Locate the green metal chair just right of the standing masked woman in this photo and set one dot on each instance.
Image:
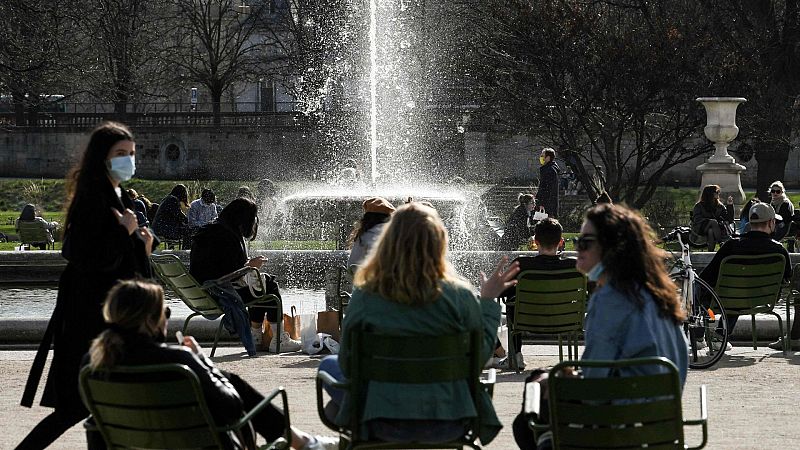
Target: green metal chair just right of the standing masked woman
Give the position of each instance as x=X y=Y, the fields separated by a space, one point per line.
x=173 y=273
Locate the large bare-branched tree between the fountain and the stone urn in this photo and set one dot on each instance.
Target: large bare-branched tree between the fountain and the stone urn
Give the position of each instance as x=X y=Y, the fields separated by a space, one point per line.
x=611 y=83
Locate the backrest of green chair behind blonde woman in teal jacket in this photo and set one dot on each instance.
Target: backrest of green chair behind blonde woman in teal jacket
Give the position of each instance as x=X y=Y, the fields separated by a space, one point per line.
x=413 y=360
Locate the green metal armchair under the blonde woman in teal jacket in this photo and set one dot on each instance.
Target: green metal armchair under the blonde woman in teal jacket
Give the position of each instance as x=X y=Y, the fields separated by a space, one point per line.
x=412 y=360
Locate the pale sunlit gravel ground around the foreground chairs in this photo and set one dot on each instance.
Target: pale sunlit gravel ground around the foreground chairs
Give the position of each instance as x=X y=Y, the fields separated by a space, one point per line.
x=753 y=396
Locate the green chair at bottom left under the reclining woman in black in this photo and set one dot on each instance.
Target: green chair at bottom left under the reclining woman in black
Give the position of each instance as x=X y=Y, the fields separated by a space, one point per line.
x=163 y=406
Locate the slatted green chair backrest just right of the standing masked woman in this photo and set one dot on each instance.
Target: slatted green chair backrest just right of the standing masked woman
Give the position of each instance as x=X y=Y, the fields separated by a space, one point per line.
x=173 y=273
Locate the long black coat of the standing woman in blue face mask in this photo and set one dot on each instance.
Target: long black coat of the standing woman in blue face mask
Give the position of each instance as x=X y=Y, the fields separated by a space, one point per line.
x=99 y=252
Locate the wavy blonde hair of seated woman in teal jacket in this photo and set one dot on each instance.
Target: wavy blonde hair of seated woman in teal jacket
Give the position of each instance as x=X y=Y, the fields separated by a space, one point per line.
x=408 y=262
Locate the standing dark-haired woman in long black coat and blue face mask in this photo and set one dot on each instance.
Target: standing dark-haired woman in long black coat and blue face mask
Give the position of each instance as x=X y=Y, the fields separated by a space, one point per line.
x=102 y=244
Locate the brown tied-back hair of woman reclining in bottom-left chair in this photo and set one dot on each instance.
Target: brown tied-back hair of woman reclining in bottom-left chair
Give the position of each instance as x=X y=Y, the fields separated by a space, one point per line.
x=131 y=306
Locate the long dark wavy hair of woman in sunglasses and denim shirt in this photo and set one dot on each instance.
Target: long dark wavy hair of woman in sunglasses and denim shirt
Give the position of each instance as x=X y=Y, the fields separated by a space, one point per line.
x=632 y=260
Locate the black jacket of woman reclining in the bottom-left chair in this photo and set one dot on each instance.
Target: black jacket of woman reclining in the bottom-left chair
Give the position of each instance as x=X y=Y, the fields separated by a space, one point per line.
x=223 y=400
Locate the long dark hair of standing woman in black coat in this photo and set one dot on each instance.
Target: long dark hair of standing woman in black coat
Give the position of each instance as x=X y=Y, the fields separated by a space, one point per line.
x=90 y=176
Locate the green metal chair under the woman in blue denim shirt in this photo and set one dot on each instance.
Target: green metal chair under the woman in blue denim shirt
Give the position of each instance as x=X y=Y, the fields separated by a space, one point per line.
x=615 y=412
